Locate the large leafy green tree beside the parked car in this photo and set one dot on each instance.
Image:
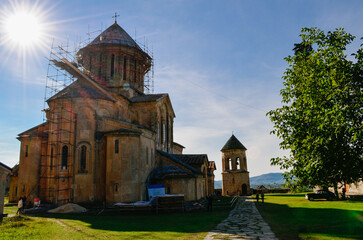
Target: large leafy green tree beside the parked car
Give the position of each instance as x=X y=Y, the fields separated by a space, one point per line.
x=320 y=121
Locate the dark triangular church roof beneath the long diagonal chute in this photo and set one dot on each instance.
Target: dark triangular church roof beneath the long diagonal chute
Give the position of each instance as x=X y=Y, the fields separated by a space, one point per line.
x=78 y=90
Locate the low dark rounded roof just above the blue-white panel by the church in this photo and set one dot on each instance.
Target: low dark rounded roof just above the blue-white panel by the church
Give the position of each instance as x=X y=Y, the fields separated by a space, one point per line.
x=165 y=172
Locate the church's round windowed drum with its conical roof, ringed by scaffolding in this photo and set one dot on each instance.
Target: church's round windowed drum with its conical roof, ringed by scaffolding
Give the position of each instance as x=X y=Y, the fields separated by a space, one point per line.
x=115 y=60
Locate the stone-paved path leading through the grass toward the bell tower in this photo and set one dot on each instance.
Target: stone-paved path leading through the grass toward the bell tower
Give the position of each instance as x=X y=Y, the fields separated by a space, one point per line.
x=243 y=222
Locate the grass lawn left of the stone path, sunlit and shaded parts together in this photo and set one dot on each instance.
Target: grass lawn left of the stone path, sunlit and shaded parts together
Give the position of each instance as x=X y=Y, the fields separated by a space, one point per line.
x=187 y=225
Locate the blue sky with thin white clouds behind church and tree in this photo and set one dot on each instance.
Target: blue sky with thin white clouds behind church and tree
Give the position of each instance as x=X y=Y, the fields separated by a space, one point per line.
x=220 y=61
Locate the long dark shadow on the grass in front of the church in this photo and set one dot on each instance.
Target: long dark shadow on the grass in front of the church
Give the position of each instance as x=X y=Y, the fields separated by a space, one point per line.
x=187 y=222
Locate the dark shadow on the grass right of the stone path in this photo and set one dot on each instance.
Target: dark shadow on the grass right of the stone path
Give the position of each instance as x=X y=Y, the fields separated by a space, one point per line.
x=294 y=223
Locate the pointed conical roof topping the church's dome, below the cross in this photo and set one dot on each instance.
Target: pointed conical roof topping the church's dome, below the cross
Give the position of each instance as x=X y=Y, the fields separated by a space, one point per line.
x=115 y=35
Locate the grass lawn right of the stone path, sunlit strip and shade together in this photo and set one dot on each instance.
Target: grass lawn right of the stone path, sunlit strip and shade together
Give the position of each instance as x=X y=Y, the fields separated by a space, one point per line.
x=291 y=216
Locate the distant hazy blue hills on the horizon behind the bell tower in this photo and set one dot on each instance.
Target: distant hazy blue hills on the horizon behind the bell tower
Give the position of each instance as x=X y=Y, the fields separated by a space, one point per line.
x=273 y=180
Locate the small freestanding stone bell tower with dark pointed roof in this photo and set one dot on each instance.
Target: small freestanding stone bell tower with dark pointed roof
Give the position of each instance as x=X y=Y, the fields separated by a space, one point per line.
x=235 y=177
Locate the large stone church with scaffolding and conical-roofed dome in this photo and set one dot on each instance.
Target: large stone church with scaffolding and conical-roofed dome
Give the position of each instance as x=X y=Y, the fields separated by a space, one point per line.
x=104 y=138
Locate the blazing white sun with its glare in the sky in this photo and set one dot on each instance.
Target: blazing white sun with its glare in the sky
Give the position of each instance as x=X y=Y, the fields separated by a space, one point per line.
x=24 y=28
